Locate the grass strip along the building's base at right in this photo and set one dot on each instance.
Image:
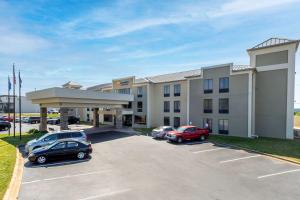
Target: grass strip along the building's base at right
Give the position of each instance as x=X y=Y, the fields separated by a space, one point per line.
x=287 y=149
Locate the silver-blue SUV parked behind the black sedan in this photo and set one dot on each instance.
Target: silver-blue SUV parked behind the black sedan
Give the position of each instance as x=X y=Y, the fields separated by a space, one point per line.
x=50 y=138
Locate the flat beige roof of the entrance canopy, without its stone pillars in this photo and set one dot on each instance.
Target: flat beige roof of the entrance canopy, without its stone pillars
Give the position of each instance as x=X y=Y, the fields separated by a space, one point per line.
x=71 y=98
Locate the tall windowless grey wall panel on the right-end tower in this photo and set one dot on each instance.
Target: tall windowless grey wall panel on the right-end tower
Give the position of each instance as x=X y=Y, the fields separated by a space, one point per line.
x=270 y=110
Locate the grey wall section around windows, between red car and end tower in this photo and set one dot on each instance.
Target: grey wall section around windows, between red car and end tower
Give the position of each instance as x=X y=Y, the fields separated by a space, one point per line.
x=238 y=101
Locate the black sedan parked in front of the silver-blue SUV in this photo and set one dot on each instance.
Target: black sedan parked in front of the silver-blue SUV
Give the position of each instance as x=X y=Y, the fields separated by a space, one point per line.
x=65 y=148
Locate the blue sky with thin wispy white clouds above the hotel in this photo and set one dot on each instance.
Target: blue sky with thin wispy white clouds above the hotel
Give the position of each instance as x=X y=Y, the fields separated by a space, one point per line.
x=92 y=42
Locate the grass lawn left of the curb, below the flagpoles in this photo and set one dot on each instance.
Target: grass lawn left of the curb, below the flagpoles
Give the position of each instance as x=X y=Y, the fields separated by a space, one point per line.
x=8 y=146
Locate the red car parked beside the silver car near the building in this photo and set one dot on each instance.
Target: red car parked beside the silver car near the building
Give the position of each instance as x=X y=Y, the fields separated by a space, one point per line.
x=187 y=133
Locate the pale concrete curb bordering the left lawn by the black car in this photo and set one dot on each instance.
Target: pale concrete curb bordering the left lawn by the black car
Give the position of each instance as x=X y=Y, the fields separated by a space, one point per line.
x=12 y=191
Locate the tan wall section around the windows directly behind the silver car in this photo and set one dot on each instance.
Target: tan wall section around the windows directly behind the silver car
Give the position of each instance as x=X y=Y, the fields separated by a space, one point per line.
x=157 y=106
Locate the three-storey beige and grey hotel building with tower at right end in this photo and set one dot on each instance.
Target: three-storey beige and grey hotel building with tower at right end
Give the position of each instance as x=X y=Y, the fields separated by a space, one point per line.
x=239 y=100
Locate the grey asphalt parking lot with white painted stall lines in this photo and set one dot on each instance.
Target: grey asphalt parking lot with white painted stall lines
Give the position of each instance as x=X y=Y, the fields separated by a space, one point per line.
x=127 y=166
